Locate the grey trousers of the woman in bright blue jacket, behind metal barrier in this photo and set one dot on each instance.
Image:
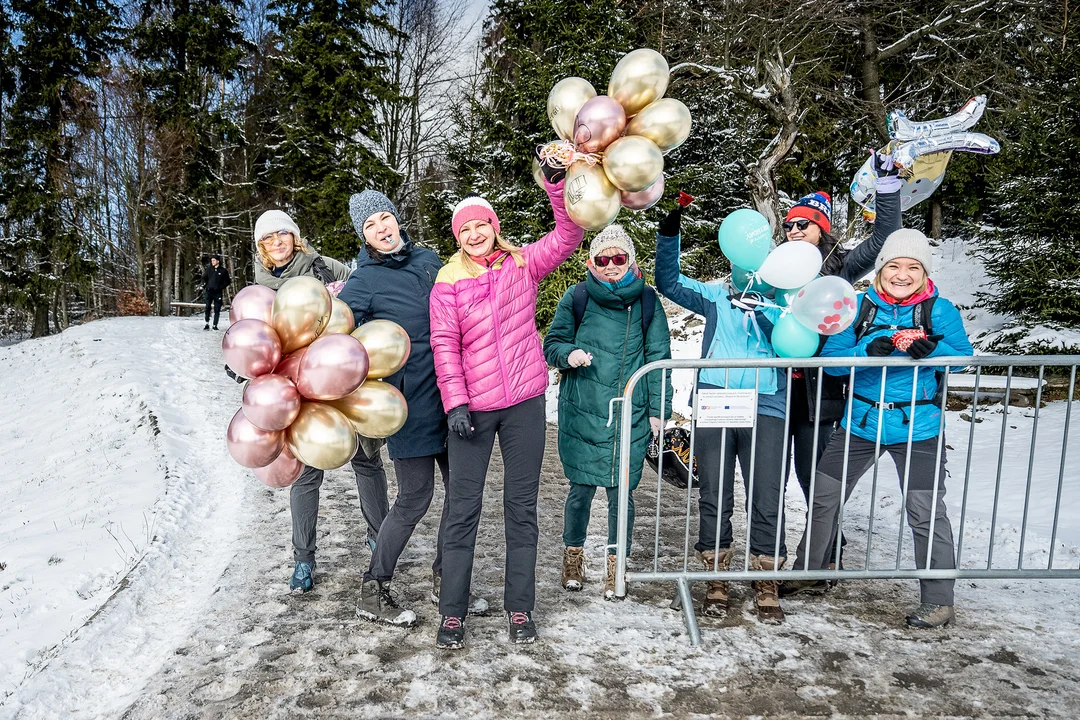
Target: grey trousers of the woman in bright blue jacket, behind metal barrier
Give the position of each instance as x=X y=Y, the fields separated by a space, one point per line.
x=921 y=501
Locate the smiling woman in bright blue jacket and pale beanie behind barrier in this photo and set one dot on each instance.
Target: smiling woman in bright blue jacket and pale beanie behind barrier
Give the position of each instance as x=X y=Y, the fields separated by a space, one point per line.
x=902 y=289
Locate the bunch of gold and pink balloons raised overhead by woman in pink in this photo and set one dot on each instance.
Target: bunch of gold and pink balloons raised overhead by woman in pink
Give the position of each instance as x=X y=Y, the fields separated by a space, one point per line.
x=614 y=145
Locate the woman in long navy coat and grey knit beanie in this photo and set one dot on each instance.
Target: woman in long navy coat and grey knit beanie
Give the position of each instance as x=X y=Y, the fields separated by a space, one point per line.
x=394 y=281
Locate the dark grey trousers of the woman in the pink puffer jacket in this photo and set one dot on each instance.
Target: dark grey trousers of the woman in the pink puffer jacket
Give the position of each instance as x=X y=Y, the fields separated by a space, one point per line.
x=521 y=431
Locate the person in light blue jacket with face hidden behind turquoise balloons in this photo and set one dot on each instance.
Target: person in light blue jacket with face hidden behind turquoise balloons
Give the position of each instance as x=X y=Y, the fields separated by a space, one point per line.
x=732 y=331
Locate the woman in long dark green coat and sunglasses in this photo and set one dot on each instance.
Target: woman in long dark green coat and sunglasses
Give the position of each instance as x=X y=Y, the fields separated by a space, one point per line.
x=617 y=328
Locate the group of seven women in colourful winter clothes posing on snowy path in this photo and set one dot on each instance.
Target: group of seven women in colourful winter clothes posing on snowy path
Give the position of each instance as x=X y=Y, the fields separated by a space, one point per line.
x=479 y=371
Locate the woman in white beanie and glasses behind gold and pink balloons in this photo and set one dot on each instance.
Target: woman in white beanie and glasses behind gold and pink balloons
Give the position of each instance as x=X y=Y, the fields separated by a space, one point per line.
x=282 y=255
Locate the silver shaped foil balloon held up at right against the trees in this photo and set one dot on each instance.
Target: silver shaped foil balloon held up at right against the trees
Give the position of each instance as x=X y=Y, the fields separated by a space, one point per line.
x=923 y=150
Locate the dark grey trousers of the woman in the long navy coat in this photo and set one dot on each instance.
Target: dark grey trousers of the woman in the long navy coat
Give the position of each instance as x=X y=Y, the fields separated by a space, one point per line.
x=416 y=485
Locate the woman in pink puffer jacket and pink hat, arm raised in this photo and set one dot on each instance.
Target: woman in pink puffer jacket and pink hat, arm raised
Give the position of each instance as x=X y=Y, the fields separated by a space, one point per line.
x=492 y=374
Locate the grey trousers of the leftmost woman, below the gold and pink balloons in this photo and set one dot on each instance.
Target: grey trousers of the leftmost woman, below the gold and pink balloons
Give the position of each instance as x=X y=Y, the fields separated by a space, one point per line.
x=304 y=500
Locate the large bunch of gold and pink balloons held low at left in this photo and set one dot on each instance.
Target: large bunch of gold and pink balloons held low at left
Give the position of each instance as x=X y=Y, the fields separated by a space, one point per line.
x=315 y=379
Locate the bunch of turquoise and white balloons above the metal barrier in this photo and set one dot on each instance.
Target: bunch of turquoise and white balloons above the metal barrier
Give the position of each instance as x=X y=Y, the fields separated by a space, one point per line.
x=812 y=306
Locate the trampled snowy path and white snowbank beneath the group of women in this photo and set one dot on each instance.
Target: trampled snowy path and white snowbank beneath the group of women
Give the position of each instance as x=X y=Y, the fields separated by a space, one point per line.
x=204 y=626
